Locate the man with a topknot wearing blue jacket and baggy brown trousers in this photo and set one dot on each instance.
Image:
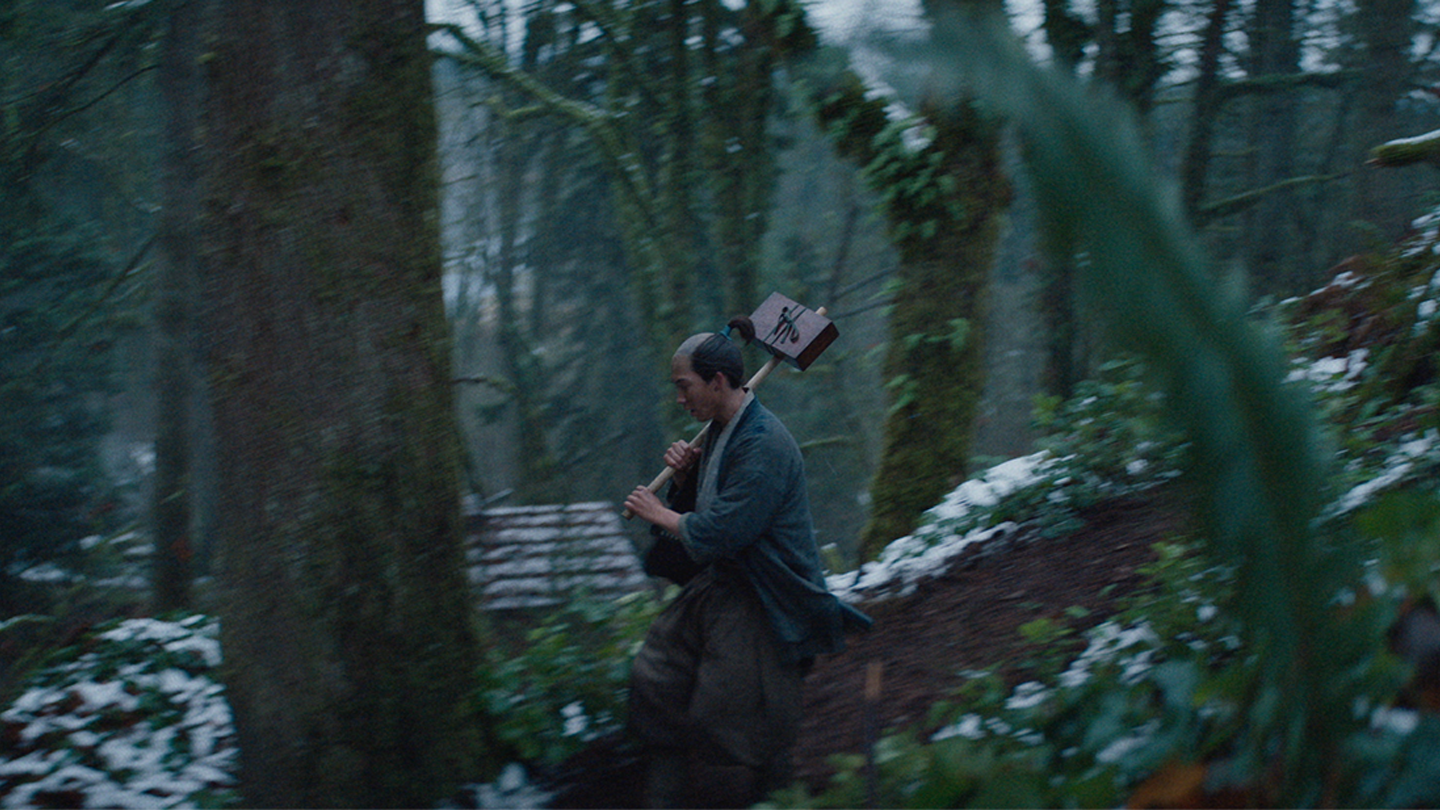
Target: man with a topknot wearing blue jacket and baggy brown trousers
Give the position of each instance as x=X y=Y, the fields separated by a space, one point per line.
x=716 y=687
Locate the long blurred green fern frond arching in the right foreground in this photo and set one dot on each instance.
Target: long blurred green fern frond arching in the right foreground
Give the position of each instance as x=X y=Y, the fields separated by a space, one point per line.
x=1256 y=450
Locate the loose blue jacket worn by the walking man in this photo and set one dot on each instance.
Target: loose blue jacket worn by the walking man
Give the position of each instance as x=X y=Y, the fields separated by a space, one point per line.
x=760 y=522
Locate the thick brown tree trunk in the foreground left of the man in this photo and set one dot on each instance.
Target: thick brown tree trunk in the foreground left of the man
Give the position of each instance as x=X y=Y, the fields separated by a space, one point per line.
x=346 y=618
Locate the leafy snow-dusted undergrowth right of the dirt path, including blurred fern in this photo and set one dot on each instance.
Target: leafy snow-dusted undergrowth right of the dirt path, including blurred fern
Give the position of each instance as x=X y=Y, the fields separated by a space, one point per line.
x=1256 y=672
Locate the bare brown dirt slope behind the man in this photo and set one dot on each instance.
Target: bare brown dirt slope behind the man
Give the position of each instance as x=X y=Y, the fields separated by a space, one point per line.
x=960 y=622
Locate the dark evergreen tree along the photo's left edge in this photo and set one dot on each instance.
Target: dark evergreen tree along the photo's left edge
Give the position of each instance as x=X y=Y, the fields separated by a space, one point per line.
x=71 y=249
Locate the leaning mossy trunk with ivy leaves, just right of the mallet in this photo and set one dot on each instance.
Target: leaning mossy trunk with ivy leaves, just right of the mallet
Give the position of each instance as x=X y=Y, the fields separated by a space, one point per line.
x=944 y=205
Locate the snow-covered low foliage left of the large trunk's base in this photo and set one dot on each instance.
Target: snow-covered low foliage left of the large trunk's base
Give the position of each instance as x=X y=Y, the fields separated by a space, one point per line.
x=136 y=723
